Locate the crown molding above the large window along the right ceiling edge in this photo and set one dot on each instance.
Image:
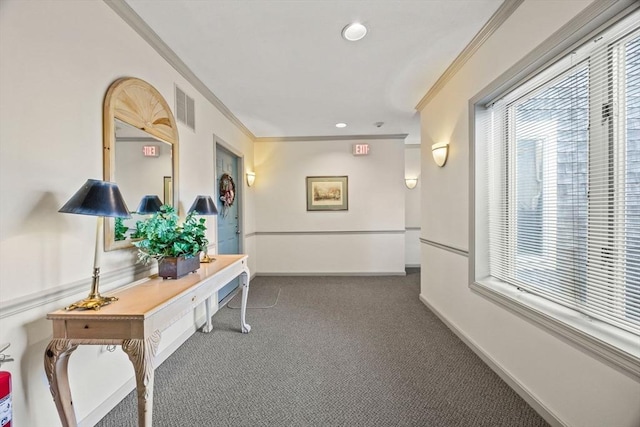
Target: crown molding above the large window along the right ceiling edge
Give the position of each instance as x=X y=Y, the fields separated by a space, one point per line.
x=497 y=19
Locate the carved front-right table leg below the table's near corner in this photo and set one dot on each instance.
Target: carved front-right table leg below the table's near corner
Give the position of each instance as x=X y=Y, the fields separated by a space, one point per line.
x=142 y=354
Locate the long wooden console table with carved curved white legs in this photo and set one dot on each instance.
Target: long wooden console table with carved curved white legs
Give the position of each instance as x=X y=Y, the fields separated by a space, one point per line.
x=135 y=322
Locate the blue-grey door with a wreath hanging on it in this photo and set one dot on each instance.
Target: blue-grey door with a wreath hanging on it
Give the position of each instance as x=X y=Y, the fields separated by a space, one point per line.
x=228 y=210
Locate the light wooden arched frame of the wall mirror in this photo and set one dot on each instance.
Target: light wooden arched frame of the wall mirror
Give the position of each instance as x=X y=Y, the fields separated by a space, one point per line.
x=140 y=105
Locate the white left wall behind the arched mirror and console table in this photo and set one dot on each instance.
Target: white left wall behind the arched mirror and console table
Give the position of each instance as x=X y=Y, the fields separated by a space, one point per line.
x=58 y=59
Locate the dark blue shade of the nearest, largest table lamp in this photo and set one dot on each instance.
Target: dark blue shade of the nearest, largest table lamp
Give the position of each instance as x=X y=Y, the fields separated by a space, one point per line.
x=97 y=198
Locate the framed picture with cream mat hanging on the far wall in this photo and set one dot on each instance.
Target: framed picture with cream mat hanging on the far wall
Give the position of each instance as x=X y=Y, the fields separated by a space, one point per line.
x=327 y=193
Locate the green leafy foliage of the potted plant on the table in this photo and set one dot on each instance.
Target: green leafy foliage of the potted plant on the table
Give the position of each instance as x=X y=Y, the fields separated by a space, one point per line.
x=162 y=235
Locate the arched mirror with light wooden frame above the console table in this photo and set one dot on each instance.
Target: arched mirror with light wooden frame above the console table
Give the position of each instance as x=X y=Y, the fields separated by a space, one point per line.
x=140 y=152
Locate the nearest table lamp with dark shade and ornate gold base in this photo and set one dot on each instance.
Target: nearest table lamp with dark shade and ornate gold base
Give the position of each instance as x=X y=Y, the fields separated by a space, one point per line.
x=96 y=198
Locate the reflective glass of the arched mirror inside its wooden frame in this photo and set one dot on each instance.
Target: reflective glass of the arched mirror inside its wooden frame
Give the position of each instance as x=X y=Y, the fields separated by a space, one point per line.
x=143 y=171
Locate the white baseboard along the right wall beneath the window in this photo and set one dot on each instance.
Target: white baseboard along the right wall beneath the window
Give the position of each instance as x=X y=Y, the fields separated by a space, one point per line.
x=512 y=382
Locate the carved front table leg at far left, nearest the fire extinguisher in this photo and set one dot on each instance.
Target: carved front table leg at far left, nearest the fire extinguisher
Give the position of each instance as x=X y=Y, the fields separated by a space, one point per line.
x=56 y=360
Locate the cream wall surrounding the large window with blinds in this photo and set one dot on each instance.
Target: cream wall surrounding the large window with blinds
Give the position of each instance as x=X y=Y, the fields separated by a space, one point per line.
x=572 y=385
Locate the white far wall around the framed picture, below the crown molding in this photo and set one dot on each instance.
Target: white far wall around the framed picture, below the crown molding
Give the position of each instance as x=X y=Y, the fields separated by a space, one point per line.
x=368 y=238
